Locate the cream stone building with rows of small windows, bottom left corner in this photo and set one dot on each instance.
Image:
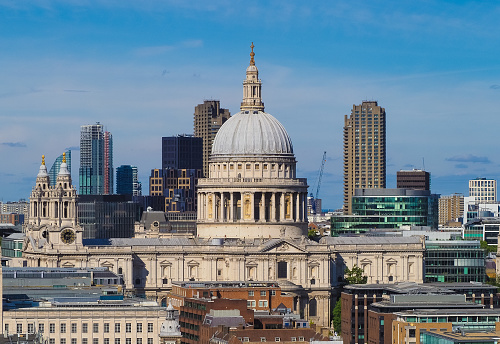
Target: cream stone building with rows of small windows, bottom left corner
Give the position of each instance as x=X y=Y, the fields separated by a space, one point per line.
x=69 y=309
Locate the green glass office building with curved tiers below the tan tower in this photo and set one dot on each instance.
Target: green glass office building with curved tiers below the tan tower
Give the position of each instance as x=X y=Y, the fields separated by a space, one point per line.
x=386 y=209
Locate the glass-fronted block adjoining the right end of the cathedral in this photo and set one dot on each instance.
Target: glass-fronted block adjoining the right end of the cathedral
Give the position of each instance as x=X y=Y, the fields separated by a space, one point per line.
x=454 y=261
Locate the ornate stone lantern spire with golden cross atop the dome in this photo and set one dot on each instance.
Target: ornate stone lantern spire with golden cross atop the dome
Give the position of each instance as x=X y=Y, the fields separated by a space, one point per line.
x=252 y=86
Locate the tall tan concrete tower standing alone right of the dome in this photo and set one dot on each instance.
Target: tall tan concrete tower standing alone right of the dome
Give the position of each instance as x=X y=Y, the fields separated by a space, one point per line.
x=364 y=150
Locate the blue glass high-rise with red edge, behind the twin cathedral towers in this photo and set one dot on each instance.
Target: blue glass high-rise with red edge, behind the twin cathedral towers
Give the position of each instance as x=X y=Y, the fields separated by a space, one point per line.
x=96 y=160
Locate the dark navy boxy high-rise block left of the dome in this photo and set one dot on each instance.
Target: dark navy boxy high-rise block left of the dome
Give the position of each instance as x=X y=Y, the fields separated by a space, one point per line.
x=182 y=151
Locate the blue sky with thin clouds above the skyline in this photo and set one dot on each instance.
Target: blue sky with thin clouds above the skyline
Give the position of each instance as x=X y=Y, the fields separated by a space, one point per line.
x=140 y=67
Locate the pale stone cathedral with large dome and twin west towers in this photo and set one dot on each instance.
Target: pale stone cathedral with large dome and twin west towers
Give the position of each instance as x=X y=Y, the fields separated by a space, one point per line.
x=252 y=226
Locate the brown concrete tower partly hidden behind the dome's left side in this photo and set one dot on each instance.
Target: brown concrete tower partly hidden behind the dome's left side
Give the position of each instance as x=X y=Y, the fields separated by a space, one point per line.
x=208 y=118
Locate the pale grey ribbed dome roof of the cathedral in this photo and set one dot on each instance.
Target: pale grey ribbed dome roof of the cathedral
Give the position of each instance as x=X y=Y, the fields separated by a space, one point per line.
x=252 y=133
